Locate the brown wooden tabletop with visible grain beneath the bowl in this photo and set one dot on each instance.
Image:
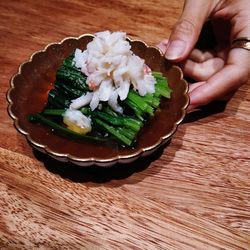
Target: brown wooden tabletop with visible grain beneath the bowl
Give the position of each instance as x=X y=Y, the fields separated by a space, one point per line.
x=193 y=194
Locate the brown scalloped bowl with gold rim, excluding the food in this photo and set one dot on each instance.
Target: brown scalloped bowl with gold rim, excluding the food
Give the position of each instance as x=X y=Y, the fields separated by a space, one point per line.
x=28 y=94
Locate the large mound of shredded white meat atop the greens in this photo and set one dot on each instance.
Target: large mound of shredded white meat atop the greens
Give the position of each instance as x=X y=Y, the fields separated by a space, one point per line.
x=111 y=68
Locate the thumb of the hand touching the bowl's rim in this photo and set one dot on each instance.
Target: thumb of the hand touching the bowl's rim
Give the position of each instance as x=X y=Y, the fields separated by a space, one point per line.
x=187 y=30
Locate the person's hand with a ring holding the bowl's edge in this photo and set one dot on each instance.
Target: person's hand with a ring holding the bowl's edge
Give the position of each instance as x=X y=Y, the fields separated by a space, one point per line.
x=220 y=71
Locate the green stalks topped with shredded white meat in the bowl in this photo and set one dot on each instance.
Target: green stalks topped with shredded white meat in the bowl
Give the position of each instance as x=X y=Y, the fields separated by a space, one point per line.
x=105 y=92
